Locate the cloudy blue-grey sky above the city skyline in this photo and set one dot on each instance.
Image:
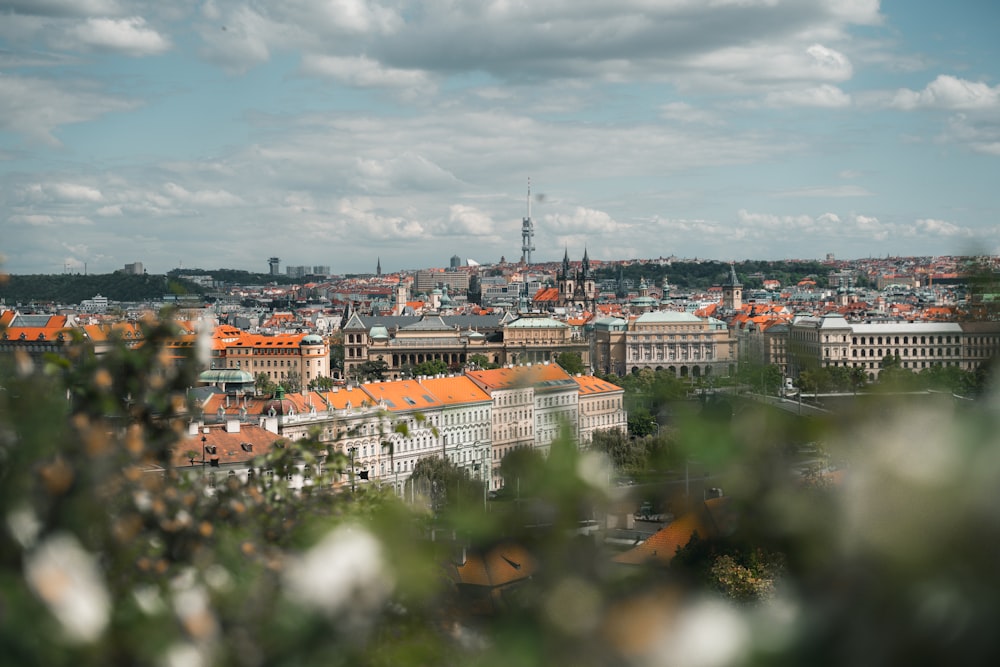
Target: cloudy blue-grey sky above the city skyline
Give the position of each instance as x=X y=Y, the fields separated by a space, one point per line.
x=217 y=133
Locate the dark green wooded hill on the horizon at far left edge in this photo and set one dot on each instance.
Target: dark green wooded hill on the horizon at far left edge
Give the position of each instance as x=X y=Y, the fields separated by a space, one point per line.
x=73 y=288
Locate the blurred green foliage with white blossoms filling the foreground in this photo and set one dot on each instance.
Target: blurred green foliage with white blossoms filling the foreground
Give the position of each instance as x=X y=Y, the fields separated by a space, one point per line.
x=109 y=555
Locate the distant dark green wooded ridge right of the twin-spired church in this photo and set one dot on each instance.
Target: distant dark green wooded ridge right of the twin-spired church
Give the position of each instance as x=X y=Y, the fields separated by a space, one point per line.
x=702 y=275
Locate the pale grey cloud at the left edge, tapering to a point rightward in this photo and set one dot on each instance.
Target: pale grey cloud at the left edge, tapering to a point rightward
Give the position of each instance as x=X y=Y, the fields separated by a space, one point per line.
x=36 y=107
